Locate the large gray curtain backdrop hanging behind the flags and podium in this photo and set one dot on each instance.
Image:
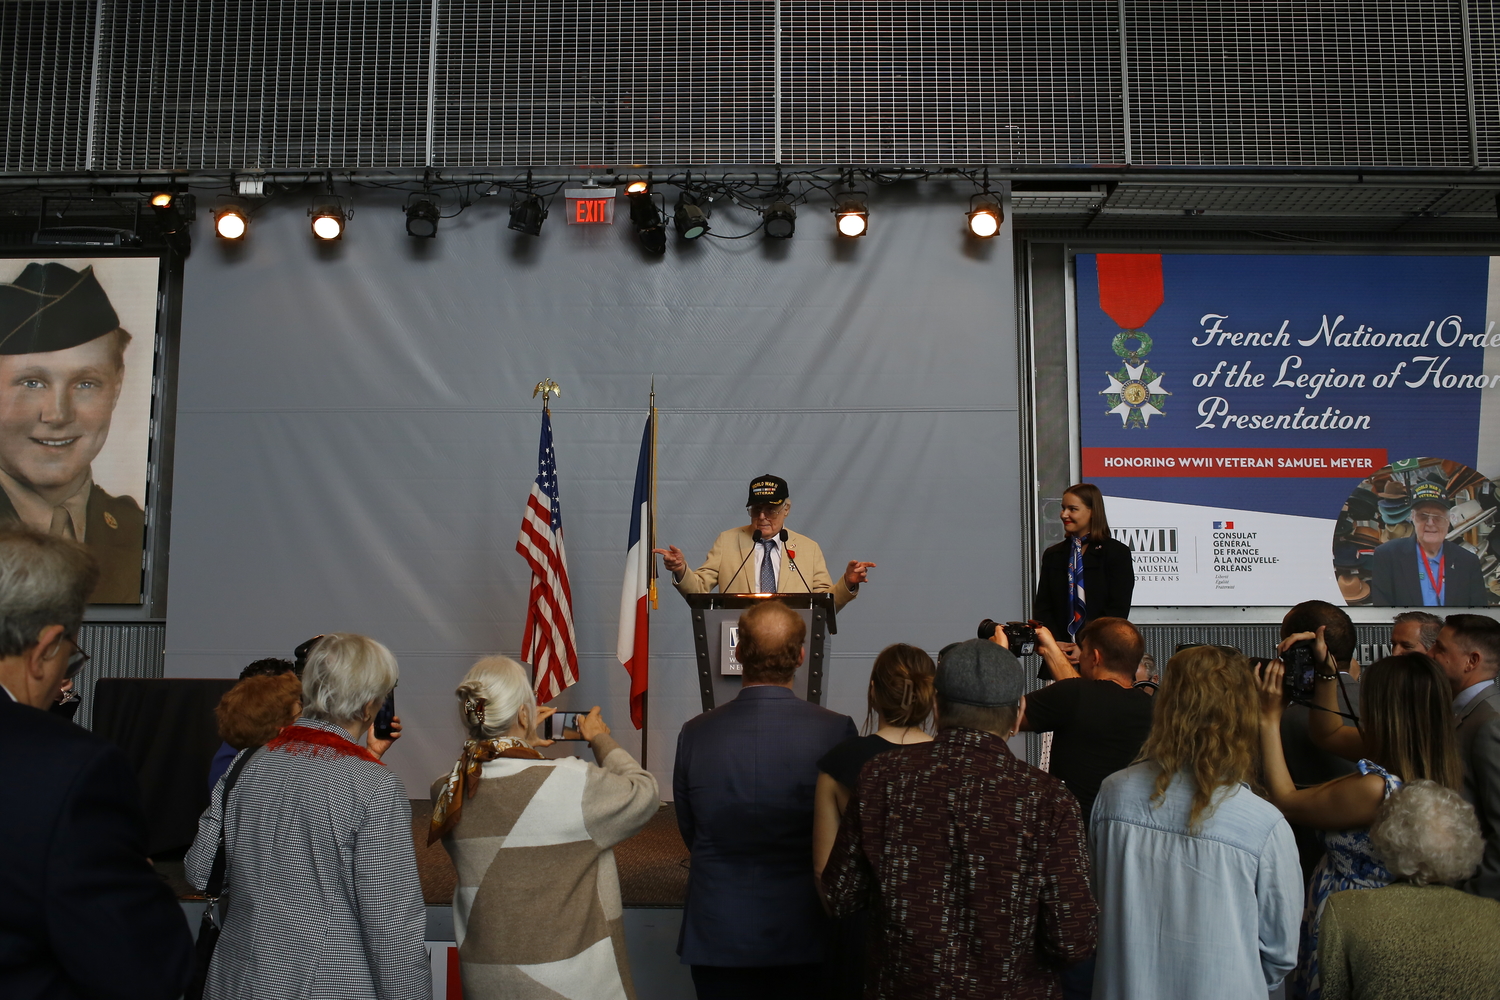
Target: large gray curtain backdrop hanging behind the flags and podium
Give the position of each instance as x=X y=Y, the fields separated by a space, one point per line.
x=356 y=437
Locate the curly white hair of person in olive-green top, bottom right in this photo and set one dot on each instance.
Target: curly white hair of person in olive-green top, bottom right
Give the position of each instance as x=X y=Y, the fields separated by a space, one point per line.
x=1427 y=834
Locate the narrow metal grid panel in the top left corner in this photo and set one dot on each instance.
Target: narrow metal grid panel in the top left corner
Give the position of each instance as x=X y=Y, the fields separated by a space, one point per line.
x=46 y=68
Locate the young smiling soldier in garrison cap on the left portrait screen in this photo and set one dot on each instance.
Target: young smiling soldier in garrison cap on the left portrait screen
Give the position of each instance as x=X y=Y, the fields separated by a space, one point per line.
x=62 y=368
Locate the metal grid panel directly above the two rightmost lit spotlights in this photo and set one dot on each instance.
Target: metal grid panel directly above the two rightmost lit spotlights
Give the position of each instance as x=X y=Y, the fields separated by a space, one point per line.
x=952 y=82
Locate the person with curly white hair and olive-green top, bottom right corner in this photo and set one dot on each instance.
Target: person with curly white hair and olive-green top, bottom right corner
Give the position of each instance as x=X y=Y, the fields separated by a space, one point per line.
x=1418 y=938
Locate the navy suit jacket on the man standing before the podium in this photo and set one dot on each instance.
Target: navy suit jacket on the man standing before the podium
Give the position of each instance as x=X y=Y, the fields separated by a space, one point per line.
x=745 y=803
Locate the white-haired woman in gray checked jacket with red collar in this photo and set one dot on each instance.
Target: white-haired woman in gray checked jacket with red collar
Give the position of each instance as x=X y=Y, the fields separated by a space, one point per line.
x=323 y=897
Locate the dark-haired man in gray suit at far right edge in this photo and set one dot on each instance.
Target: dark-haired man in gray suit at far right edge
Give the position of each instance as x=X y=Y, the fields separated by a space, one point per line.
x=1469 y=653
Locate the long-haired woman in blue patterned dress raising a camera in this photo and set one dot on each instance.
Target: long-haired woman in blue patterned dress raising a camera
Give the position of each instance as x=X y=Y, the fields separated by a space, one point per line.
x=1409 y=734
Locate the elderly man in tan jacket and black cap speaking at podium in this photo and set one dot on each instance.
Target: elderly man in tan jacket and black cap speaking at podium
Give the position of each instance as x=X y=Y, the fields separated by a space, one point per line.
x=764 y=557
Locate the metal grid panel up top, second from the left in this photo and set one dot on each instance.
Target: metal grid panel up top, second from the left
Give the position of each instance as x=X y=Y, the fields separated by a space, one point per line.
x=205 y=85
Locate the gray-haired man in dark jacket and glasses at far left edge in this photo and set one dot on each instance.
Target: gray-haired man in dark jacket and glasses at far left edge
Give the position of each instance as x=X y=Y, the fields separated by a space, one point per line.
x=82 y=912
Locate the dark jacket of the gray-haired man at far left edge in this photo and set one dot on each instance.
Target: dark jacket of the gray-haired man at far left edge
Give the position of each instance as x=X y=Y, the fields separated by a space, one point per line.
x=82 y=912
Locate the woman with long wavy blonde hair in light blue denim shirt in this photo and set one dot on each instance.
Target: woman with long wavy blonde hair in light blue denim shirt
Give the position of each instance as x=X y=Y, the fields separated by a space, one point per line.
x=1196 y=876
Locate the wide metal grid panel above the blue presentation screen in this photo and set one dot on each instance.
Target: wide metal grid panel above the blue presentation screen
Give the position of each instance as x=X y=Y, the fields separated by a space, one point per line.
x=1273 y=83
